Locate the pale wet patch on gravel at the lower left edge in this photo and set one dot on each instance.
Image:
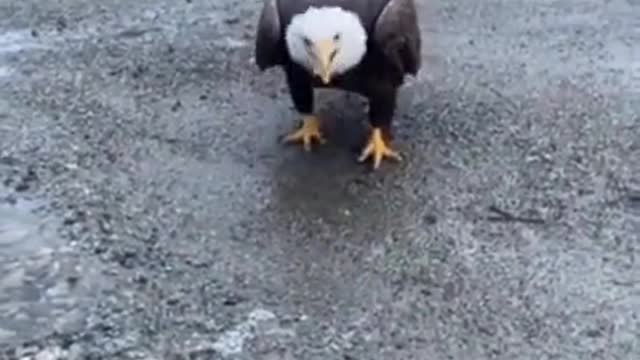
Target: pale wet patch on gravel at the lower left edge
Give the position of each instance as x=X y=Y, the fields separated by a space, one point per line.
x=45 y=287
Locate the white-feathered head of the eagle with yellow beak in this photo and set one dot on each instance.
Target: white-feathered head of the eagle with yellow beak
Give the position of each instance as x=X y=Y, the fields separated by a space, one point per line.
x=326 y=41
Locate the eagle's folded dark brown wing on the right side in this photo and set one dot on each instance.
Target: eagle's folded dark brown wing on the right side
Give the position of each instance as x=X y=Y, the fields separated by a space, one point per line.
x=397 y=34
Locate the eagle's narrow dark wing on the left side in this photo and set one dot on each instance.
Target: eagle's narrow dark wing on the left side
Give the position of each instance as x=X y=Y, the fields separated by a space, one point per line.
x=269 y=50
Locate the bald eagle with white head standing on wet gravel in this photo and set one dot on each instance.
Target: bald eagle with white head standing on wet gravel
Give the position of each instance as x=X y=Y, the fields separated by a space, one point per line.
x=362 y=46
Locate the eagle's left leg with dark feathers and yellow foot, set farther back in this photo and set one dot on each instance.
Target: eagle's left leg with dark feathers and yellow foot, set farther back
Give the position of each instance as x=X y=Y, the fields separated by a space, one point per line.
x=301 y=91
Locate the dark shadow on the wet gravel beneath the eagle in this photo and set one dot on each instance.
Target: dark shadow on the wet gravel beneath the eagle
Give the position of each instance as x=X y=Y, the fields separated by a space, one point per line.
x=316 y=181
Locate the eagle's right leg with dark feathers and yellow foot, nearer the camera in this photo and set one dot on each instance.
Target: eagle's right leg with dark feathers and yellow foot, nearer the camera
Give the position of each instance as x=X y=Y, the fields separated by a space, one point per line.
x=381 y=110
